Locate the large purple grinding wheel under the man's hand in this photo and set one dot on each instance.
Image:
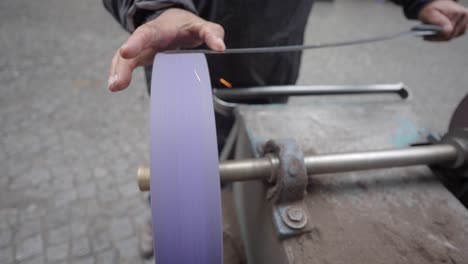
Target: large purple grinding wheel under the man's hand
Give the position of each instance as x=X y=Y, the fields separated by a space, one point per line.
x=185 y=183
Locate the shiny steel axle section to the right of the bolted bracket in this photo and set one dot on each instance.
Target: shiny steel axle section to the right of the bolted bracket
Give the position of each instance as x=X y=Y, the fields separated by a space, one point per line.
x=427 y=155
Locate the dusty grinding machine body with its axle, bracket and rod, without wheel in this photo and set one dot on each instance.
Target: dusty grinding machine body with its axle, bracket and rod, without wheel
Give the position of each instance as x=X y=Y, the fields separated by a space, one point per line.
x=355 y=178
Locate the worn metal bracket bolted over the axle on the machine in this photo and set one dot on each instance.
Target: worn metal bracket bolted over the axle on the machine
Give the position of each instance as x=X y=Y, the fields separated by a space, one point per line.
x=288 y=188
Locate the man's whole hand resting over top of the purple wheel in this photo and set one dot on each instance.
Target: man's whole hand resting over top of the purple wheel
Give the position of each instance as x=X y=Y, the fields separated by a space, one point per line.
x=174 y=28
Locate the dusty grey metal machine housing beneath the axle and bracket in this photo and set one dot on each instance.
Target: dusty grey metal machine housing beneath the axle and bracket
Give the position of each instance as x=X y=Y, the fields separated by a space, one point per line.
x=393 y=215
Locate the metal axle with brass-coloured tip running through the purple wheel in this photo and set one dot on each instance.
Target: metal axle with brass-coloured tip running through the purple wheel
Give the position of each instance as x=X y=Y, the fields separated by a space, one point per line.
x=258 y=169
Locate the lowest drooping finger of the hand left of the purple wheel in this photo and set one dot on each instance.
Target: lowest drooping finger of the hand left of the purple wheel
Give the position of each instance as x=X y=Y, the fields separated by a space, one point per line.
x=120 y=73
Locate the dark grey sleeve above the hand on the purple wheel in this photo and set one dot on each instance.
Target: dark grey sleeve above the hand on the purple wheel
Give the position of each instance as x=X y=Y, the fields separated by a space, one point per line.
x=132 y=13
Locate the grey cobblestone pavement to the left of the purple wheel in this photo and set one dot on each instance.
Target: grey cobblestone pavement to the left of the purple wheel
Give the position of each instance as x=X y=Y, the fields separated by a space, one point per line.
x=69 y=149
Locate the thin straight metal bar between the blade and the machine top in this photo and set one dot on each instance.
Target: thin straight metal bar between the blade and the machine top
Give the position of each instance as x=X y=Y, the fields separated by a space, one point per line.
x=298 y=90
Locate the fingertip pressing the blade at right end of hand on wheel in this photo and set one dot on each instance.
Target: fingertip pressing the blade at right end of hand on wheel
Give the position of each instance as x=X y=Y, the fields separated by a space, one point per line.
x=212 y=35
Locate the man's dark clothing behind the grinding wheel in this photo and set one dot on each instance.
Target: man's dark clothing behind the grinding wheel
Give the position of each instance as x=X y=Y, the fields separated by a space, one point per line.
x=246 y=24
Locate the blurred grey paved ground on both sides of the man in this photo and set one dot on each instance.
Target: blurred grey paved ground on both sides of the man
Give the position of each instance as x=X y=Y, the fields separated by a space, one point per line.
x=69 y=149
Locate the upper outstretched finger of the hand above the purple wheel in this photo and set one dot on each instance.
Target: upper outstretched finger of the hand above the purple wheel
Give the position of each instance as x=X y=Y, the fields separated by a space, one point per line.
x=144 y=37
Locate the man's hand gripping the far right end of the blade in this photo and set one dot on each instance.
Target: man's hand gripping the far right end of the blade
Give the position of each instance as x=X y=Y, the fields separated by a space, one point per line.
x=452 y=17
